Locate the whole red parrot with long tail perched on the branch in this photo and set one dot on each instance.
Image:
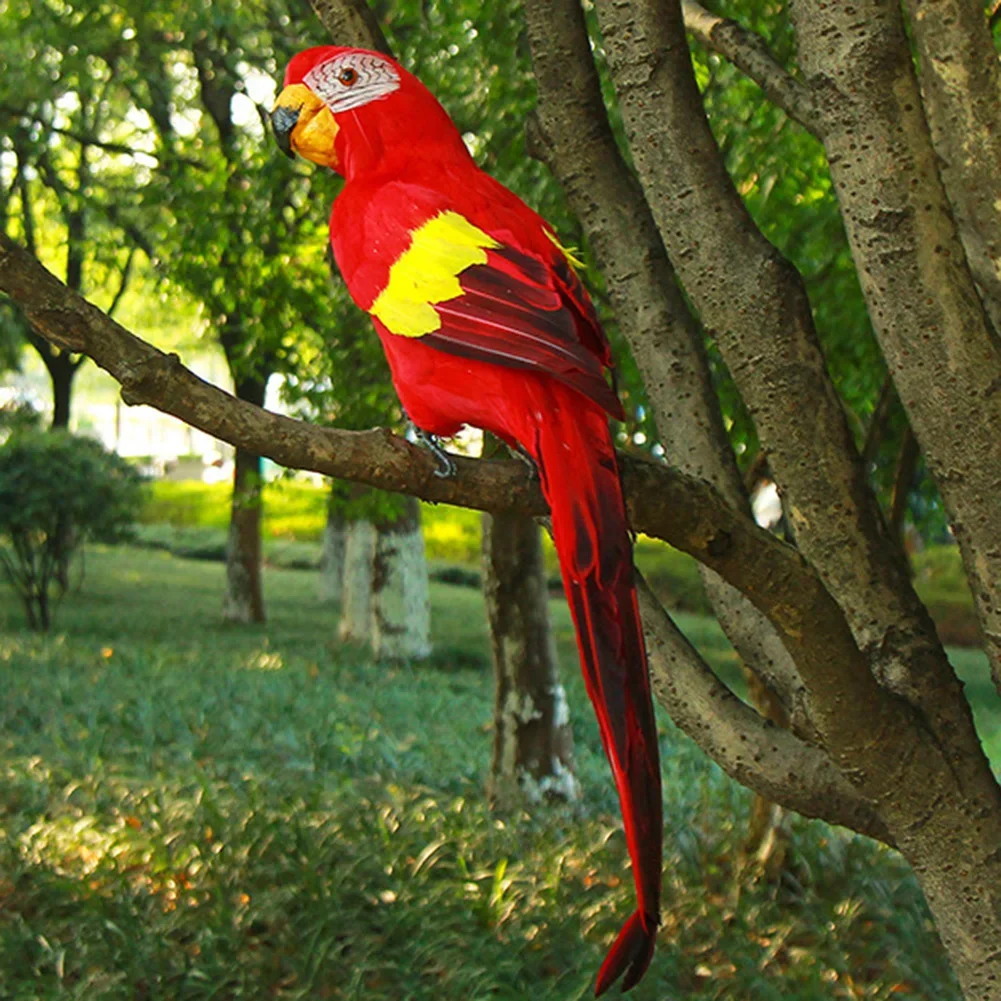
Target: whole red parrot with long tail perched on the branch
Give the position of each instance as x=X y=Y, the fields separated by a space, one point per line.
x=485 y=323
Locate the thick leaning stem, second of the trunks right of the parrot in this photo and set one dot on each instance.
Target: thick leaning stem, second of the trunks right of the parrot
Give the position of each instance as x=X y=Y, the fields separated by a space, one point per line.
x=756 y=305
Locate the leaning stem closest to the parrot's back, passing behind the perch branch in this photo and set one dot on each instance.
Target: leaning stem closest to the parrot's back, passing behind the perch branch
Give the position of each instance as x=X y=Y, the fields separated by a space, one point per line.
x=576 y=141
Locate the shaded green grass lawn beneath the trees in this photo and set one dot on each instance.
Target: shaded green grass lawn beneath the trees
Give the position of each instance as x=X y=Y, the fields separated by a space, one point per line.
x=196 y=811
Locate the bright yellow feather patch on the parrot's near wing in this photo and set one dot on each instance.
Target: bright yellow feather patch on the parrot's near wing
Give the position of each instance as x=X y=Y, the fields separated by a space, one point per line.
x=428 y=273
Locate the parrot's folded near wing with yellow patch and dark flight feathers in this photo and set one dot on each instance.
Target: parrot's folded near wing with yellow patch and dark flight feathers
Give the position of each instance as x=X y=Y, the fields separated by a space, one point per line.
x=480 y=295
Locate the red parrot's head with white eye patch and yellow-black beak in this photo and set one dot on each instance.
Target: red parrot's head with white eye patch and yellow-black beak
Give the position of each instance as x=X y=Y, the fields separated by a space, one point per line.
x=352 y=111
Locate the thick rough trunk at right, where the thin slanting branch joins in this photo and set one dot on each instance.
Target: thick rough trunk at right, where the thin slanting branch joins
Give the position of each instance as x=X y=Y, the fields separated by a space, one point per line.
x=914 y=275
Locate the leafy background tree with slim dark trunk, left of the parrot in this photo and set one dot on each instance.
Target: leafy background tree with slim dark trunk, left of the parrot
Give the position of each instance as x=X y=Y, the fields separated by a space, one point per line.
x=207 y=216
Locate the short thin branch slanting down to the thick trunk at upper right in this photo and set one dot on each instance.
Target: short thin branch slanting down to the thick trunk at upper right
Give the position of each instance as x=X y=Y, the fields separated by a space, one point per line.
x=750 y=55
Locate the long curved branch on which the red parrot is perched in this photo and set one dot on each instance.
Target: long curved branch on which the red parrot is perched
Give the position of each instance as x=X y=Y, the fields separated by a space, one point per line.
x=663 y=503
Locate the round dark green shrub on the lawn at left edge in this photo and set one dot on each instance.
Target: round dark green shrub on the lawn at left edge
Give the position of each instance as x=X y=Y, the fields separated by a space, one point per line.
x=58 y=491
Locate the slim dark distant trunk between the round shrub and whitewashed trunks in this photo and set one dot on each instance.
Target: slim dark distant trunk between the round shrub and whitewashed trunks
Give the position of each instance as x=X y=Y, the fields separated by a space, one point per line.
x=245 y=599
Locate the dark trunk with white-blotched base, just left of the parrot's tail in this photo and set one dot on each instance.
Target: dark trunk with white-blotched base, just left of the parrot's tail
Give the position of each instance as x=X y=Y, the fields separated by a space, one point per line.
x=533 y=737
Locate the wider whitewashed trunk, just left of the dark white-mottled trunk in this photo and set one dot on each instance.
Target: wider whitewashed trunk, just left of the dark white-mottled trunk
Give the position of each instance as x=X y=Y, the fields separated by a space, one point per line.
x=402 y=616
